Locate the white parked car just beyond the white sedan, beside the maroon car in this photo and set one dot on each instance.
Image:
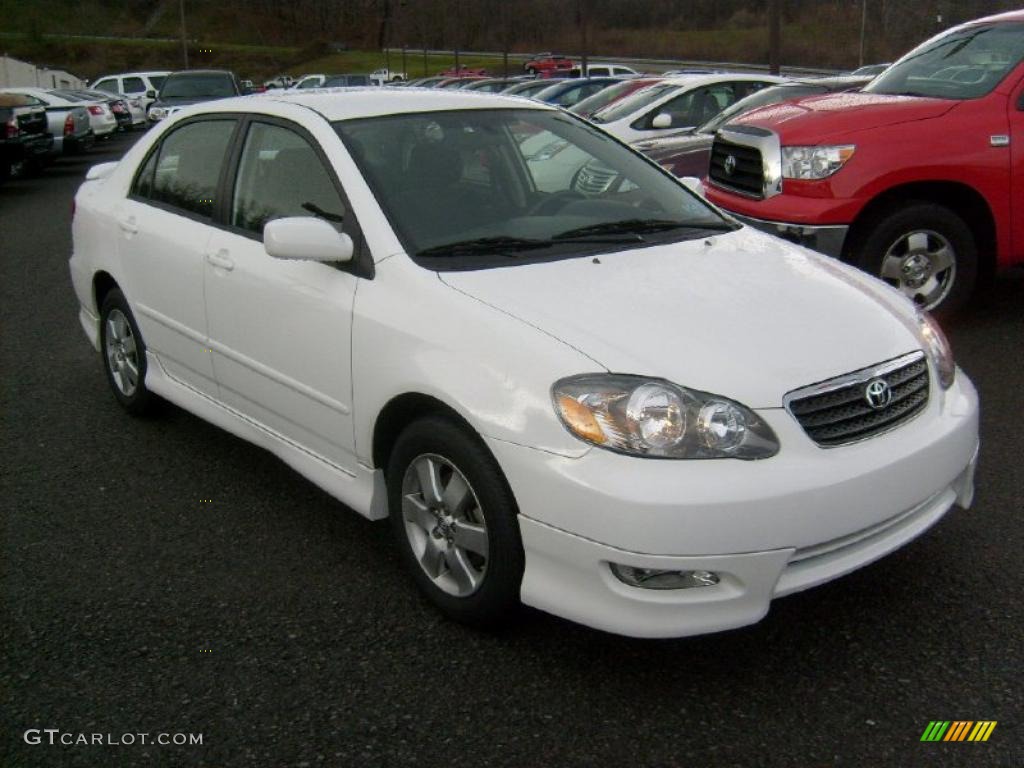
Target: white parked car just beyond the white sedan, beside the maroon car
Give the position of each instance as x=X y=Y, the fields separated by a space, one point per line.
x=677 y=104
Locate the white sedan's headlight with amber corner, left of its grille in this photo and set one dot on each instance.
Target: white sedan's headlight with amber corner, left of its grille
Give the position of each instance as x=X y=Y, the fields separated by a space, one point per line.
x=657 y=419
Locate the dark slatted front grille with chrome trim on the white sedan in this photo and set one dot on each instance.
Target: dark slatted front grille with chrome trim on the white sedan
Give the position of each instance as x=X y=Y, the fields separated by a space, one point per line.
x=838 y=412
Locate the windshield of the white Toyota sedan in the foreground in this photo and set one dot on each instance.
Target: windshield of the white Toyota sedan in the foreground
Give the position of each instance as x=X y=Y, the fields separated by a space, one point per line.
x=465 y=188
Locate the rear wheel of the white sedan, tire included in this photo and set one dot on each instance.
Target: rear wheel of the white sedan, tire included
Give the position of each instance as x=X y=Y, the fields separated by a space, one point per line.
x=123 y=354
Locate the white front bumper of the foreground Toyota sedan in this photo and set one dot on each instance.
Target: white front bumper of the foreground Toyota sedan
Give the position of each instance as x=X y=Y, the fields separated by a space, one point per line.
x=767 y=529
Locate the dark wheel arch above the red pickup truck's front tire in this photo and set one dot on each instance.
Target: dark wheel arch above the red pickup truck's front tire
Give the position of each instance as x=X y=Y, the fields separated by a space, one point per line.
x=961 y=198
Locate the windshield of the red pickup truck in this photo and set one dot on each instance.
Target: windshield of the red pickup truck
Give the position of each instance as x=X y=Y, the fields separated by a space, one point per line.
x=967 y=63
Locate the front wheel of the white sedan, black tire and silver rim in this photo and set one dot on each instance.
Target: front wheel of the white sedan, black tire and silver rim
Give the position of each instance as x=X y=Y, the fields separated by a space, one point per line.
x=454 y=519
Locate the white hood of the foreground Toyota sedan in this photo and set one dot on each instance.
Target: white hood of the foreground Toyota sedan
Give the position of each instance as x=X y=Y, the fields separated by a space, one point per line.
x=742 y=315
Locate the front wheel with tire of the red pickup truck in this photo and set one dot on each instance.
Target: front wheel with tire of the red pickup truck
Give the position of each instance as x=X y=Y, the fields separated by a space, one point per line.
x=924 y=250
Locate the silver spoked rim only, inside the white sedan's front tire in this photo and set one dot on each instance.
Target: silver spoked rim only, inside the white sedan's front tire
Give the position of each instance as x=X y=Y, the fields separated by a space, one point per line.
x=445 y=525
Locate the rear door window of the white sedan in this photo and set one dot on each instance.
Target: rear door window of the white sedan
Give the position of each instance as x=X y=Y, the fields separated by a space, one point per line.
x=189 y=165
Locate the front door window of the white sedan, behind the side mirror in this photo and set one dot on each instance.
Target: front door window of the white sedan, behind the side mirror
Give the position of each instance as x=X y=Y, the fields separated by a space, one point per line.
x=280 y=176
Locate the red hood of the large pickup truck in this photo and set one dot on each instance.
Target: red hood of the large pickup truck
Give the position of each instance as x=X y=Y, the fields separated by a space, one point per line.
x=816 y=119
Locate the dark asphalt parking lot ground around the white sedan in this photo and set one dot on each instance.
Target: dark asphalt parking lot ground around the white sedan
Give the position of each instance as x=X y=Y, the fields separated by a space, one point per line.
x=162 y=576
